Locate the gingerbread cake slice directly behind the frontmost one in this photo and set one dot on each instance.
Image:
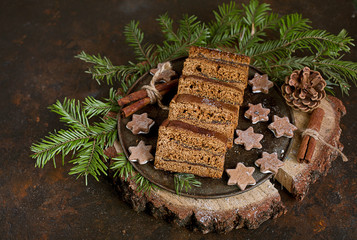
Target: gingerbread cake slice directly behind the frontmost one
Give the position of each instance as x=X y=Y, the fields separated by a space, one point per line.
x=205 y=113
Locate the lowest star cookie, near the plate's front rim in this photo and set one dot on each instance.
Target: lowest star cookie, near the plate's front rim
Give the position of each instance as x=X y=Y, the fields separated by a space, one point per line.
x=241 y=175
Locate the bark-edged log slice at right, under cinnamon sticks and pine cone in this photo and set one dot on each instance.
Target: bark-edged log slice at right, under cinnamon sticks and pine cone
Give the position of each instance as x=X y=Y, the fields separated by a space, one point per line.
x=297 y=177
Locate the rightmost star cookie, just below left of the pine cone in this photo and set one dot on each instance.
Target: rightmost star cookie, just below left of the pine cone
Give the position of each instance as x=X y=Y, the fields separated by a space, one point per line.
x=282 y=127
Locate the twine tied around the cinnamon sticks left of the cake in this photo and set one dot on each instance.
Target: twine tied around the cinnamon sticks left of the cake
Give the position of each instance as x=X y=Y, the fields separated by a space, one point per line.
x=151 y=90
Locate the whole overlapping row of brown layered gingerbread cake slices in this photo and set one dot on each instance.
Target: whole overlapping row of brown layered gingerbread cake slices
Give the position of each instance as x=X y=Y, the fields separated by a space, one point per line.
x=204 y=113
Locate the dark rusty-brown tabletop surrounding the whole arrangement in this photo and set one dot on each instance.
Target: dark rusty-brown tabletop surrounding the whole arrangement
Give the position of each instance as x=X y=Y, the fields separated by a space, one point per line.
x=38 y=40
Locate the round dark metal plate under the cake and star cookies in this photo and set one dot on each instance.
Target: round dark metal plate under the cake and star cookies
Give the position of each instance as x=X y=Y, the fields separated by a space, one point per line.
x=211 y=188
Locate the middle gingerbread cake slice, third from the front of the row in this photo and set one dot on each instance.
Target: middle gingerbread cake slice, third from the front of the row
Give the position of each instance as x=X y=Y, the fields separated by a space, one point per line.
x=211 y=89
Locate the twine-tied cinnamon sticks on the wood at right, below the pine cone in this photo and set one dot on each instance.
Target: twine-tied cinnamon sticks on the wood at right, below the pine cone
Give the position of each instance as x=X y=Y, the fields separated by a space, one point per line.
x=308 y=143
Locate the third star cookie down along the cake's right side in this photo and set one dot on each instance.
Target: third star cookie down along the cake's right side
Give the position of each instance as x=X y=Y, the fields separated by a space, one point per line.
x=249 y=139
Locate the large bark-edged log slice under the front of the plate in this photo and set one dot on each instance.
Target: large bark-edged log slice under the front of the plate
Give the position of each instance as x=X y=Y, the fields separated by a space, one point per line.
x=248 y=209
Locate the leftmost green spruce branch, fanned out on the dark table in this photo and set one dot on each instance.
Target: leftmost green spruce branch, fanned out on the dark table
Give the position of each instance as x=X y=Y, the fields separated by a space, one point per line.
x=85 y=141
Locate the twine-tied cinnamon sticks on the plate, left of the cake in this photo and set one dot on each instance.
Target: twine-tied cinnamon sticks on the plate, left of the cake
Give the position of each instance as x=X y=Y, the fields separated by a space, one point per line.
x=139 y=99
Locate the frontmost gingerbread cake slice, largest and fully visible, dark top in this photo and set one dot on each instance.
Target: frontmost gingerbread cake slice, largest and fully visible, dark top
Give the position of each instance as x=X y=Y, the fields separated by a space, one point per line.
x=185 y=148
